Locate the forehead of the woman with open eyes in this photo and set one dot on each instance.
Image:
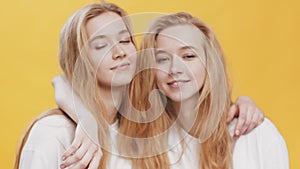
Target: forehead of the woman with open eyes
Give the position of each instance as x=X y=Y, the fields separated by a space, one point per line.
x=180 y=36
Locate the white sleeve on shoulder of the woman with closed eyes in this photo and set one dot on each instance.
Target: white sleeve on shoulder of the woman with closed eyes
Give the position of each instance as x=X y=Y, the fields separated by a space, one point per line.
x=47 y=141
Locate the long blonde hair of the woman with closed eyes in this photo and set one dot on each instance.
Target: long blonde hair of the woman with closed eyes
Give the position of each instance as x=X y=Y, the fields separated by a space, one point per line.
x=76 y=64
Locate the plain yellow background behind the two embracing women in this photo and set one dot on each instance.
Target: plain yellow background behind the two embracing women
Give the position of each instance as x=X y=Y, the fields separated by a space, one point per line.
x=261 y=39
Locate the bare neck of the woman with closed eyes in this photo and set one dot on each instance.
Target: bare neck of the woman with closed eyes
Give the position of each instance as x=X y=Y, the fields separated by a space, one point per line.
x=112 y=98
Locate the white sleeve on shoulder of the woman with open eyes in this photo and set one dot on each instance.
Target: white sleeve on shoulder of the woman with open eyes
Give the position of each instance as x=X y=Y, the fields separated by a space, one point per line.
x=262 y=148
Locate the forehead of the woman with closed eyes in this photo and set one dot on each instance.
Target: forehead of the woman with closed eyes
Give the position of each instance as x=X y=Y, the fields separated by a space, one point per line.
x=108 y=23
